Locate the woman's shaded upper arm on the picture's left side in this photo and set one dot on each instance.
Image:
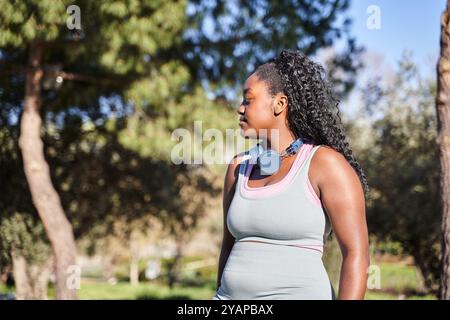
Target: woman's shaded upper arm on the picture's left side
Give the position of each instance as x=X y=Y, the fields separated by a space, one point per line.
x=229 y=188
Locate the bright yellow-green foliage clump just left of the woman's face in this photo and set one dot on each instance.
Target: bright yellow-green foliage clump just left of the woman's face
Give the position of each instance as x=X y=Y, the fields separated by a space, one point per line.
x=152 y=136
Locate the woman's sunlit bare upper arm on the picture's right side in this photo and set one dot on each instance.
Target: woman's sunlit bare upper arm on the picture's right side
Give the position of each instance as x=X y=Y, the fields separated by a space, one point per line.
x=343 y=199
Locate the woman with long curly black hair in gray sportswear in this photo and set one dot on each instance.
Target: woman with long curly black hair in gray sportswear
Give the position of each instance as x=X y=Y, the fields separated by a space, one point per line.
x=275 y=225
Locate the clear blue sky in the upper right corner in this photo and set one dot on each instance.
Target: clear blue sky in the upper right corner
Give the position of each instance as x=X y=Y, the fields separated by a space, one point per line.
x=405 y=24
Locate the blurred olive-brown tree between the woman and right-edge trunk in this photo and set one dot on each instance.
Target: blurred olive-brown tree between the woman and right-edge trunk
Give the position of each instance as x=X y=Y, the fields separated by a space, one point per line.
x=402 y=168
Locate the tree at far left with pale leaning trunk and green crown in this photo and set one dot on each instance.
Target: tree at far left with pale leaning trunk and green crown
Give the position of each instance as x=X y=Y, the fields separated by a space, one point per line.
x=37 y=31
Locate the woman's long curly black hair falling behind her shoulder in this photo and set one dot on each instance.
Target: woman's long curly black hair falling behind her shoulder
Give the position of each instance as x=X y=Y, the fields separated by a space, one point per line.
x=313 y=112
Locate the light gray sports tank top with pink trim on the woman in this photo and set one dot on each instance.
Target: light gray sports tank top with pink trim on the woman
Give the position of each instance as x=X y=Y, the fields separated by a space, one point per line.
x=287 y=212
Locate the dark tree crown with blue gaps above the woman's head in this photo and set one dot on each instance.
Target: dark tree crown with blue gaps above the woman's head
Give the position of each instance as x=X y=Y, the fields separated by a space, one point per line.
x=244 y=34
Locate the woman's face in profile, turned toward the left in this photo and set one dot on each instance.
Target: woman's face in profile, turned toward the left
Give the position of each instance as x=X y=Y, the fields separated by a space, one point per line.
x=257 y=113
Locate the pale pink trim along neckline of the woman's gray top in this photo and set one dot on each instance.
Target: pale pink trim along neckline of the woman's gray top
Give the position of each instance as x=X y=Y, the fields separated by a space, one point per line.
x=277 y=187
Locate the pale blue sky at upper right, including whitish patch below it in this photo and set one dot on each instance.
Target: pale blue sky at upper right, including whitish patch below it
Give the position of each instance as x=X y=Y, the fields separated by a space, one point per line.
x=412 y=25
